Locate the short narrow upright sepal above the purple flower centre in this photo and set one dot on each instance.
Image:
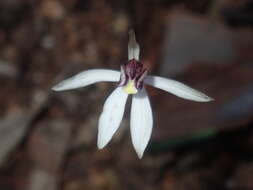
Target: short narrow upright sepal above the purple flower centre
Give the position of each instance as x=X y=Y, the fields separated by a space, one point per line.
x=133 y=47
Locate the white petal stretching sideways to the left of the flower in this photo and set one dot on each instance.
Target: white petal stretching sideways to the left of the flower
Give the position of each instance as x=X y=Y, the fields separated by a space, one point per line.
x=88 y=77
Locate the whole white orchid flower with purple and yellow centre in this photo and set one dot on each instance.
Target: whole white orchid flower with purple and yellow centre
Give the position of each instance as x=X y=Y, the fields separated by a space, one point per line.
x=131 y=80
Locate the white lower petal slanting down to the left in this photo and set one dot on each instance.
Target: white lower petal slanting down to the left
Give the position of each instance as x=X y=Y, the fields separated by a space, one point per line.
x=111 y=116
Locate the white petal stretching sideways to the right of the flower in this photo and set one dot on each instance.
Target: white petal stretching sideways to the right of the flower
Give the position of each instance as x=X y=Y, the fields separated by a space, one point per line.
x=177 y=88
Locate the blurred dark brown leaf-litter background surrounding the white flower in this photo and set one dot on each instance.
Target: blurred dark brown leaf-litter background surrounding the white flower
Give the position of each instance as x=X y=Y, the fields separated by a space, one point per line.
x=48 y=139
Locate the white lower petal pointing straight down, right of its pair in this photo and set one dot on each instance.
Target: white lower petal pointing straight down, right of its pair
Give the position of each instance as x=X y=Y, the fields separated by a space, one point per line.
x=141 y=121
